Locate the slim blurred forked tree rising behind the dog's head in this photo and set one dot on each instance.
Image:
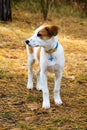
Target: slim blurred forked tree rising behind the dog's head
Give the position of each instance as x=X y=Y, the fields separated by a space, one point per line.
x=46 y=4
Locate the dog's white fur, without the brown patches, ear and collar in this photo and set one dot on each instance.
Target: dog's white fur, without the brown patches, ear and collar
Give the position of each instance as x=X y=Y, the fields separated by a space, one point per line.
x=55 y=66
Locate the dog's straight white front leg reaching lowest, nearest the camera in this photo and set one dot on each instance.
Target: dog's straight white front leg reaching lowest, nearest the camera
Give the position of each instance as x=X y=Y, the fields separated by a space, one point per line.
x=46 y=101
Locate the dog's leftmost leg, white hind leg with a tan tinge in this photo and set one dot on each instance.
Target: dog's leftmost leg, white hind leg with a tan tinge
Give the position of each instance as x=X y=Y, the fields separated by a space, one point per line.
x=30 y=73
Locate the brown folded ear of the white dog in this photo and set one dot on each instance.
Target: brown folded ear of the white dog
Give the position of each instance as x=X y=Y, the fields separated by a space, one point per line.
x=52 y=30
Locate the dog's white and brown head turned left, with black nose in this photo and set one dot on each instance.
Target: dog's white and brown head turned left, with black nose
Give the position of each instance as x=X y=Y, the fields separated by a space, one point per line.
x=42 y=36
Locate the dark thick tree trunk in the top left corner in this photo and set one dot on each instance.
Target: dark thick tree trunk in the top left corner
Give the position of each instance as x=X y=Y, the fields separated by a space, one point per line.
x=5 y=10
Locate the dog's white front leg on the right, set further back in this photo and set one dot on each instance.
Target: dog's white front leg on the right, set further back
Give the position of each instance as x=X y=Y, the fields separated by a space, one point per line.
x=57 y=97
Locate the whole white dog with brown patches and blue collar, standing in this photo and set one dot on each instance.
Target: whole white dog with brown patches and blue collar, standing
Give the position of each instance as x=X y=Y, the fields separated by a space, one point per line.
x=45 y=48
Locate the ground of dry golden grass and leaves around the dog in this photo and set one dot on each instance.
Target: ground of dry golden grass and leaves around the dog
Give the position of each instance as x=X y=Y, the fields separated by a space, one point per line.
x=20 y=109
